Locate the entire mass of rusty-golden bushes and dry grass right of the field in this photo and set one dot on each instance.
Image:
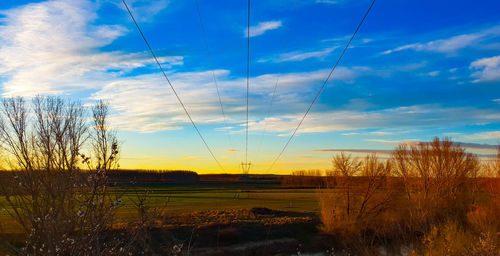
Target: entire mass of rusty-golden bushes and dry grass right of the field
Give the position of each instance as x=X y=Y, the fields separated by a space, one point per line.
x=440 y=209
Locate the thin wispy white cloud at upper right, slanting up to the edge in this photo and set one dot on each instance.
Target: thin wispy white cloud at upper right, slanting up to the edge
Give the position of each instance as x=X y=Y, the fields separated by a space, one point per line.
x=449 y=45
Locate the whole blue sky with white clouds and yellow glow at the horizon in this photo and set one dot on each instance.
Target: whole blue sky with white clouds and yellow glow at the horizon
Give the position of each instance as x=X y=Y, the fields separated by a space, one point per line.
x=416 y=70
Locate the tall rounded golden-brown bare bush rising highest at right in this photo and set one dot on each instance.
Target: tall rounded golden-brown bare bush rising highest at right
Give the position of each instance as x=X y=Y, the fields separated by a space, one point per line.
x=439 y=180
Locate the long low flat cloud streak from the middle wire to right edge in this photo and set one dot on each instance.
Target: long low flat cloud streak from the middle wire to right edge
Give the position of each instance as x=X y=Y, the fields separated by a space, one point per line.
x=400 y=117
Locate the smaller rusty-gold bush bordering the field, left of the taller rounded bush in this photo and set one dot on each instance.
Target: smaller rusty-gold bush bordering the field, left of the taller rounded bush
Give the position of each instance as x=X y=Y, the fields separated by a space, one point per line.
x=355 y=203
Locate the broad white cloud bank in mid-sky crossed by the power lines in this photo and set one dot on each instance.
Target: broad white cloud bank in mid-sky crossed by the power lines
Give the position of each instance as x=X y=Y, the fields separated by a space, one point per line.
x=196 y=89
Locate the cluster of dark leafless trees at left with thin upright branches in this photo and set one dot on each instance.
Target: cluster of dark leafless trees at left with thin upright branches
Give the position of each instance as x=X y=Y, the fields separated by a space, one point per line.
x=62 y=209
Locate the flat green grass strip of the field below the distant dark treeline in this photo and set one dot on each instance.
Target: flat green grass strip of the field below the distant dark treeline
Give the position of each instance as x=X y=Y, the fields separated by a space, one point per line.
x=190 y=198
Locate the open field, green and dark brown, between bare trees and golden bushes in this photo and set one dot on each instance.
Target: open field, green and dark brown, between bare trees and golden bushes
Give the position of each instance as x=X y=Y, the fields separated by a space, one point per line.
x=224 y=213
